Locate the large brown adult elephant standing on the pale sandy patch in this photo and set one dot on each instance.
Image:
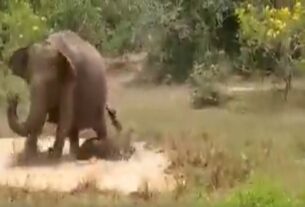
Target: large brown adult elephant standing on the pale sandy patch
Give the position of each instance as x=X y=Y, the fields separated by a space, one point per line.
x=66 y=76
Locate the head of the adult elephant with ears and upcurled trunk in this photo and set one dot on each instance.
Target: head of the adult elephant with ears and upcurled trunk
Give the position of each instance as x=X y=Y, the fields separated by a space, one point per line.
x=46 y=66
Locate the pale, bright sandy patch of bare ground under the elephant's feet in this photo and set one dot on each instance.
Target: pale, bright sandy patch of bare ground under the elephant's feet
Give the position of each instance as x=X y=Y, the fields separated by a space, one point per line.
x=126 y=176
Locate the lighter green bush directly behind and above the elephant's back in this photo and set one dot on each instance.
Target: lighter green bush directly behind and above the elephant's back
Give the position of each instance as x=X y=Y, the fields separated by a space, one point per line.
x=109 y=25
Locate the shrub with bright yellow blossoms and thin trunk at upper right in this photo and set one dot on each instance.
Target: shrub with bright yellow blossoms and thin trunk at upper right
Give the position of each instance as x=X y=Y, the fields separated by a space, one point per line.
x=271 y=37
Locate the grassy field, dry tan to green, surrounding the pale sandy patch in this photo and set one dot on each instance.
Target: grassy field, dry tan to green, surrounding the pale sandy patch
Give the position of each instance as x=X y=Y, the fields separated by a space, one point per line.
x=219 y=150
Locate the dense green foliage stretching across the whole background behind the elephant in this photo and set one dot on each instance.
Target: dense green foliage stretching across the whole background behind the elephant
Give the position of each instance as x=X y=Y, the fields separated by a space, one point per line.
x=182 y=37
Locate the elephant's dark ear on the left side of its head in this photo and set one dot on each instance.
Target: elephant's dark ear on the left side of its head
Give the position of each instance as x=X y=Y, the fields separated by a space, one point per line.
x=18 y=62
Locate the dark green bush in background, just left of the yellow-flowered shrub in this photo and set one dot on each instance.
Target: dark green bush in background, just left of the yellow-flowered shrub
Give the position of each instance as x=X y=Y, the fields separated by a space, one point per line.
x=188 y=32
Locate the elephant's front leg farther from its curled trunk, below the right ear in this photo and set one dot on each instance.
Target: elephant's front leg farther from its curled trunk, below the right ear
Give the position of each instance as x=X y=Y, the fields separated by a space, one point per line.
x=65 y=120
